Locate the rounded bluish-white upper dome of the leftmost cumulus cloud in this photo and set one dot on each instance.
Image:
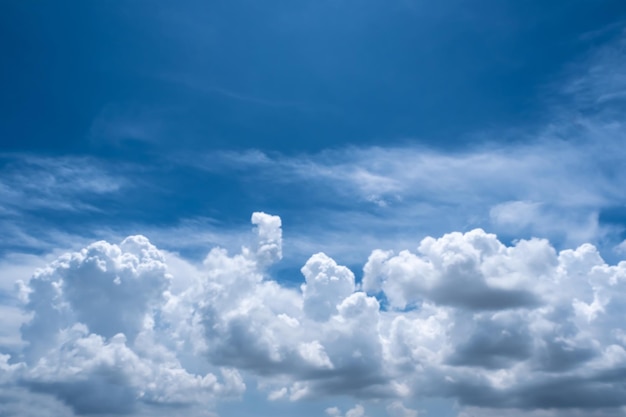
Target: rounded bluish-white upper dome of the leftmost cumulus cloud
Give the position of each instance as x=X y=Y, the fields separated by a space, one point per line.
x=107 y=287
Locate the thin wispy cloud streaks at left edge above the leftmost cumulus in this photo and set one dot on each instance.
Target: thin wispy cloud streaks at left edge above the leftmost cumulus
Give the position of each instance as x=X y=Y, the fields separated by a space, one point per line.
x=37 y=192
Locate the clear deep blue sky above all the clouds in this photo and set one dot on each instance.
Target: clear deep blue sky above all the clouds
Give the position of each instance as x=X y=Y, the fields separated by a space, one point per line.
x=91 y=77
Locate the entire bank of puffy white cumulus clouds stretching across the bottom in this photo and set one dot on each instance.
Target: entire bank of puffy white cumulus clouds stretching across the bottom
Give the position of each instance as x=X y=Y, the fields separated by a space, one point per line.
x=115 y=329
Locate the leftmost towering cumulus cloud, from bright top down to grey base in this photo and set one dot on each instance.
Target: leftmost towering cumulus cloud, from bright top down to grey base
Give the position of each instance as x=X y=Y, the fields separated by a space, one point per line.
x=95 y=338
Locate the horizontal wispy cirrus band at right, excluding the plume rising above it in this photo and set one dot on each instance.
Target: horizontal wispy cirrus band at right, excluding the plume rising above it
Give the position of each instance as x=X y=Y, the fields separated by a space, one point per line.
x=549 y=187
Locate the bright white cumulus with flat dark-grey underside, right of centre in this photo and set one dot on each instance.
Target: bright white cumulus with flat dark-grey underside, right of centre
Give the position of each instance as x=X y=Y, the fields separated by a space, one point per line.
x=472 y=270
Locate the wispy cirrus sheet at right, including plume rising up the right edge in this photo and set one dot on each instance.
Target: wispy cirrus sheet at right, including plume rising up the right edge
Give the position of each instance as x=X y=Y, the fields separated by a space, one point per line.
x=556 y=181
